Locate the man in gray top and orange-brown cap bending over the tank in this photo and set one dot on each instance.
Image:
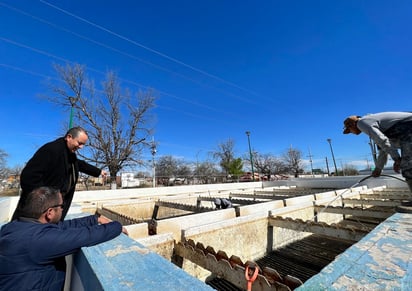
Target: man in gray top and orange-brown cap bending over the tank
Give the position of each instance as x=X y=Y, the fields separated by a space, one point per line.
x=390 y=131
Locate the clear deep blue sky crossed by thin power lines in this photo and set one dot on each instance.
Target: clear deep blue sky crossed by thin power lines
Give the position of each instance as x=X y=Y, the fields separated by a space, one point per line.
x=287 y=71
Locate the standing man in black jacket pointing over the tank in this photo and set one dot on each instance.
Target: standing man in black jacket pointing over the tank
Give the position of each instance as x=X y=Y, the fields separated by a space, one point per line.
x=56 y=165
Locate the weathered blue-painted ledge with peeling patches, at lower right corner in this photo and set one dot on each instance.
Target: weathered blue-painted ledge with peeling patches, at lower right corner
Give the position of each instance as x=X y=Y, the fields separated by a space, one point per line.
x=382 y=260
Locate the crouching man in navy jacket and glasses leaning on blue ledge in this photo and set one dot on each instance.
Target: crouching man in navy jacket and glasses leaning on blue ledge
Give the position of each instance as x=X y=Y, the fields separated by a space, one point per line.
x=33 y=246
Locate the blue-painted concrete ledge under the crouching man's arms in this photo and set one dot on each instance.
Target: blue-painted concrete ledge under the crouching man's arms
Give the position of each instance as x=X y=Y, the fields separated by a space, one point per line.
x=124 y=264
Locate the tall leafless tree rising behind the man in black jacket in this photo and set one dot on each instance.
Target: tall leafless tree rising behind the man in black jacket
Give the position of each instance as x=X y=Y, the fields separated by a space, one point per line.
x=114 y=118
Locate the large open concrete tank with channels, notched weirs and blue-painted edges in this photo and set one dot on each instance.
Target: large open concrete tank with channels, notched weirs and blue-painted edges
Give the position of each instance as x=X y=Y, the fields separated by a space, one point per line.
x=207 y=244
